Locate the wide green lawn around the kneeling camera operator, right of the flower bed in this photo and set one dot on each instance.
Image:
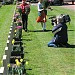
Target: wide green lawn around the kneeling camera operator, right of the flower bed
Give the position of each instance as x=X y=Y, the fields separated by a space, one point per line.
x=44 y=60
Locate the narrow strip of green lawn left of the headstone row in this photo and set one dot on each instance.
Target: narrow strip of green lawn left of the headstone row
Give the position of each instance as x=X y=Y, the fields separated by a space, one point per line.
x=6 y=13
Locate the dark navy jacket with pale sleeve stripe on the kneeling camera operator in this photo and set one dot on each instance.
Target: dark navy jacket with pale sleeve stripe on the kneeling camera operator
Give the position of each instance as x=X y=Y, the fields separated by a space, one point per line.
x=60 y=33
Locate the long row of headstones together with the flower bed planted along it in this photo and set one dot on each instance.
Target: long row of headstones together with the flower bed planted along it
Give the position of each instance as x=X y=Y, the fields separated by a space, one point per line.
x=13 y=63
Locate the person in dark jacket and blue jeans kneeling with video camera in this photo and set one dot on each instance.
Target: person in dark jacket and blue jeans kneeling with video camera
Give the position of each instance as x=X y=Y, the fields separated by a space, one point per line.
x=60 y=33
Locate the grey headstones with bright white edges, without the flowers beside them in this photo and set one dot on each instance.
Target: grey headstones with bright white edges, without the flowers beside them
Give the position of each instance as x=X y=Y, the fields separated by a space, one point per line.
x=3 y=70
